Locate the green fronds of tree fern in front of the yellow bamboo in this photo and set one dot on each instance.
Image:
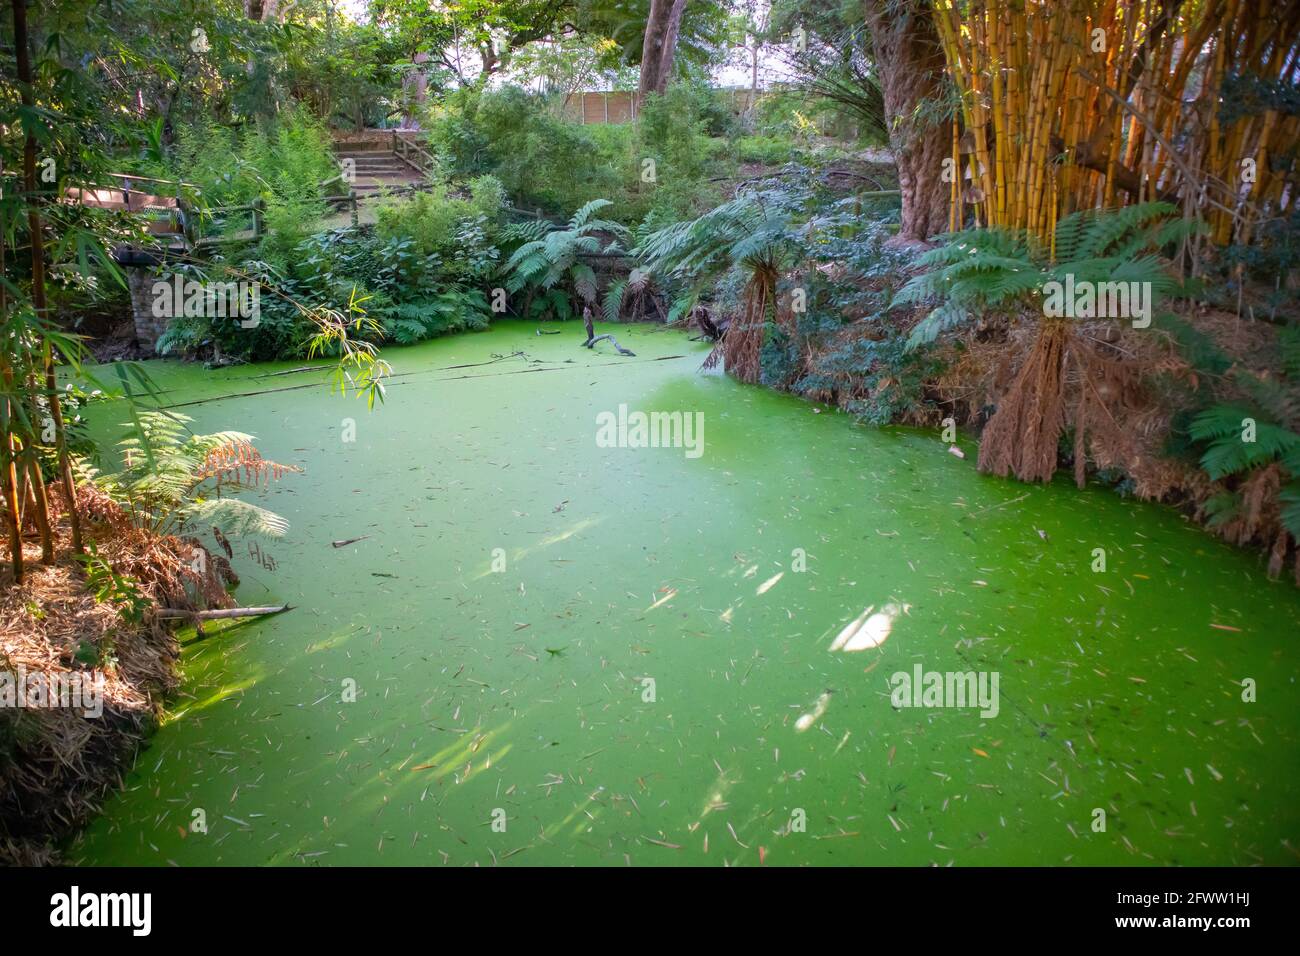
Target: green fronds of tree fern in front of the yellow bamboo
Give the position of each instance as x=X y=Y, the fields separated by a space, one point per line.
x=983 y=270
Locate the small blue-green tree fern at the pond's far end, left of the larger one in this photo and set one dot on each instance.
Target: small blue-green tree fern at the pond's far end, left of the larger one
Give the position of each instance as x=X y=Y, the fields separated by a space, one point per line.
x=551 y=259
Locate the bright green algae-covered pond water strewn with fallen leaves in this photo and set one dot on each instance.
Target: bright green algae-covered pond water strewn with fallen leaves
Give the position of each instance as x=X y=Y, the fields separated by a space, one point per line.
x=565 y=654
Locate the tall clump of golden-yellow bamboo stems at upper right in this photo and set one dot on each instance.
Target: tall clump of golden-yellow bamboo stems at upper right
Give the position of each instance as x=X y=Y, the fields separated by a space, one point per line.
x=1074 y=105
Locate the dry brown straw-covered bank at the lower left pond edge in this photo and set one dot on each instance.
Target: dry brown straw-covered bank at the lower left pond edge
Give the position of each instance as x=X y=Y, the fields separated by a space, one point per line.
x=57 y=765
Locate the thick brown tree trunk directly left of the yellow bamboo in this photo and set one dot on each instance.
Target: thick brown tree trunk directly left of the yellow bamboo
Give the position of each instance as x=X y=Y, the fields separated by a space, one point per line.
x=911 y=66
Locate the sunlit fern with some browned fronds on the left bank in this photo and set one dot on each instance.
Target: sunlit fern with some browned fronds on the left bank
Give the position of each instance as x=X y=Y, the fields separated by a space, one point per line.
x=174 y=481
